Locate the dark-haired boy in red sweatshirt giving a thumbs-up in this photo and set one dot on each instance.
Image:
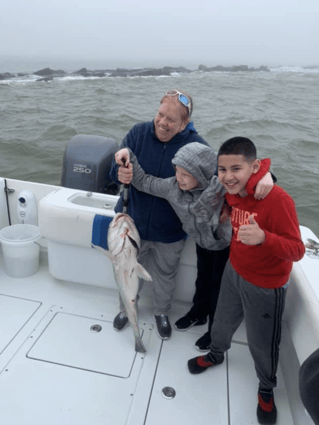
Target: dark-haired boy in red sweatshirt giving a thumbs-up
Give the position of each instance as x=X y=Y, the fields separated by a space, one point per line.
x=265 y=242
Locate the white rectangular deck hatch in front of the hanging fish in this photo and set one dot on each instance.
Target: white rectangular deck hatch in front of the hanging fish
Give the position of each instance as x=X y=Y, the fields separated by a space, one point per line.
x=86 y=343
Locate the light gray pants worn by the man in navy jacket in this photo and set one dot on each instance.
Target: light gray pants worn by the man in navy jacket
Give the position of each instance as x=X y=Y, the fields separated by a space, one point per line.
x=161 y=261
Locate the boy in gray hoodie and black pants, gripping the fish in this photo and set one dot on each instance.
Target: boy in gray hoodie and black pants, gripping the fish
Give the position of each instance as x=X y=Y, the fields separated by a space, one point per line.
x=197 y=197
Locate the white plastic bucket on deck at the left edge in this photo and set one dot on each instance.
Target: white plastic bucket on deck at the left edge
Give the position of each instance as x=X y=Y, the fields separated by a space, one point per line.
x=20 y=250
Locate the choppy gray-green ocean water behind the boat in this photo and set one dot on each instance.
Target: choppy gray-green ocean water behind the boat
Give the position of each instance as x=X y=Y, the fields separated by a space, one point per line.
x=278 y=110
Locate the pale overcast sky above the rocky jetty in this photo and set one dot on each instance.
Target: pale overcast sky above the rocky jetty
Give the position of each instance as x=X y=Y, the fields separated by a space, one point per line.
x=166 y=32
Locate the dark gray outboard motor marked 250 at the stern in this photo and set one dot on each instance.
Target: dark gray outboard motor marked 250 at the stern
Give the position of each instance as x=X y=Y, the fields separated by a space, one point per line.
x=87 y=163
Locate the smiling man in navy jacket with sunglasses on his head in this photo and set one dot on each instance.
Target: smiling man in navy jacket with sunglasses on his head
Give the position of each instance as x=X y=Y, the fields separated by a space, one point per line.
x=162 y=238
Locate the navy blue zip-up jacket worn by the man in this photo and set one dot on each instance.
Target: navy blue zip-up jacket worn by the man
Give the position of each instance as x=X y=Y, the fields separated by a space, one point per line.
x=154 y=218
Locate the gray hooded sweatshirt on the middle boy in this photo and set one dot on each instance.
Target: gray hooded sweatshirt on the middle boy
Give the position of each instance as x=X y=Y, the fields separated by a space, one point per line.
x=198 y=209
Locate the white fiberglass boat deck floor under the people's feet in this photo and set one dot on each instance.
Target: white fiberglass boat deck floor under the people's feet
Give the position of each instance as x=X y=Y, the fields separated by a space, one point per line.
x=55 y=370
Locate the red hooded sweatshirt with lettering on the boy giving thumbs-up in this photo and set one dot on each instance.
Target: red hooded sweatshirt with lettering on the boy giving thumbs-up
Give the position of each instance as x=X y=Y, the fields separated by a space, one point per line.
x=269 y=264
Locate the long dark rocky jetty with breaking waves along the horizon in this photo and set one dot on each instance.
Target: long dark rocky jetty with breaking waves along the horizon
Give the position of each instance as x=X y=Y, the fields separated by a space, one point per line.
x=48 y=74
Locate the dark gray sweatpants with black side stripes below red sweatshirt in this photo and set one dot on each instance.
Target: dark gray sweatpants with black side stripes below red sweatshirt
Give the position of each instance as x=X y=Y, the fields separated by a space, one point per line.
x=262 y=309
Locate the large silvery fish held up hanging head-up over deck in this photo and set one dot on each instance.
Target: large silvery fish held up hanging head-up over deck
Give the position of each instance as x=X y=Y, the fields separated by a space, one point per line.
x=124 y=243
